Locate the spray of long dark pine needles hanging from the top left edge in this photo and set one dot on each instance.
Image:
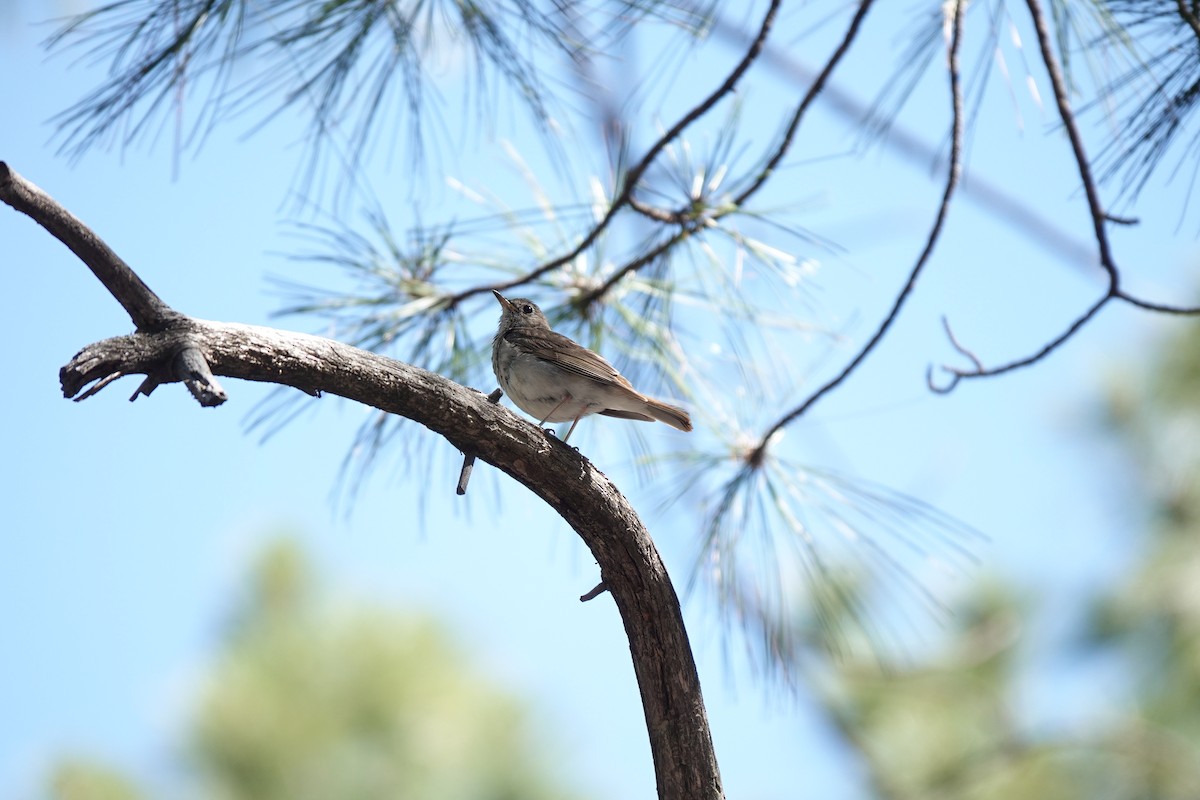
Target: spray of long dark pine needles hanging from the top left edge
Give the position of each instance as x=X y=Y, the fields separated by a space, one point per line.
x=356 y=69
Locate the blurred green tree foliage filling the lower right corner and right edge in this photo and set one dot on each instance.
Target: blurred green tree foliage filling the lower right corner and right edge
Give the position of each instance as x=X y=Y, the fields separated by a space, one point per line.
x=950 y=729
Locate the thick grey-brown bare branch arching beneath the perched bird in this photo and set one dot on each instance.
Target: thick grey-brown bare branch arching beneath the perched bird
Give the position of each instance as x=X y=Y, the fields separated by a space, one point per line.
x=183 y=348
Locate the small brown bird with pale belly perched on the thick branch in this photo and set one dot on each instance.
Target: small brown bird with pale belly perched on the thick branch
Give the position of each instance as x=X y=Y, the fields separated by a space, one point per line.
x=555 y=380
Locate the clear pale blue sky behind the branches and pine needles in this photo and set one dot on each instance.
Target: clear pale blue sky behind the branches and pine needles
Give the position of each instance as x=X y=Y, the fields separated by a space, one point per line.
x=130 y=526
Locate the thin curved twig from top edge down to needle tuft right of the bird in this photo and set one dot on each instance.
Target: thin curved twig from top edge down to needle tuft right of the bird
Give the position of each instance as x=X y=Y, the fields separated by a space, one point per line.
x=935 y=232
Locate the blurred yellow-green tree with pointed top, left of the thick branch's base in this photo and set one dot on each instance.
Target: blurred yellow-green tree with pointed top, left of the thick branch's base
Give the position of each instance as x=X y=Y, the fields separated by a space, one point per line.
x=309 y=701
